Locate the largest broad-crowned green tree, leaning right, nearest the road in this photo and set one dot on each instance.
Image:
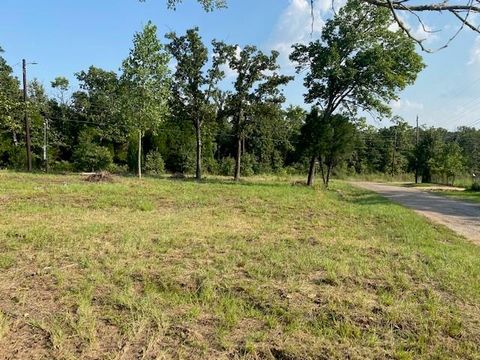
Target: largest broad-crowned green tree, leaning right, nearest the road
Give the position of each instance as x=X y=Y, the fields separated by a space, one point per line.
x=358 y=64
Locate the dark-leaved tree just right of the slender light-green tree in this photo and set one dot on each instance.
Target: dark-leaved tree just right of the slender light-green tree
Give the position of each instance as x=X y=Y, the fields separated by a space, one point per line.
x=194 y=85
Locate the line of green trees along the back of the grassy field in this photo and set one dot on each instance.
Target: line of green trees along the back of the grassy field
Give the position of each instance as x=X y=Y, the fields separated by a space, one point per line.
x=168 y=108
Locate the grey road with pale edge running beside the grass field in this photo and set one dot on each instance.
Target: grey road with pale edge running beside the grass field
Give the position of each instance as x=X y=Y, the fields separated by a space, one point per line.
x=460 y=216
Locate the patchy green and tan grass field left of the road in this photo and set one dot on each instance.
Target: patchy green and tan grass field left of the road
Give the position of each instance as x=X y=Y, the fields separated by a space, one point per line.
x=260 y=270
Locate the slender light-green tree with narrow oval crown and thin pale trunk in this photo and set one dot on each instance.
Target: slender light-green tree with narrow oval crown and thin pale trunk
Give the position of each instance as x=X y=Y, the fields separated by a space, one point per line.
x=145 y=84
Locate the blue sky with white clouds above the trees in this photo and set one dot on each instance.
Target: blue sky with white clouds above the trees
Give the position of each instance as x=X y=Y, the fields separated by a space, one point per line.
x=64 y=37
